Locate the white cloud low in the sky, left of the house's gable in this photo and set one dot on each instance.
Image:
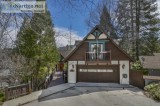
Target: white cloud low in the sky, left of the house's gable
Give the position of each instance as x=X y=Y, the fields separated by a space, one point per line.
x=63 y=36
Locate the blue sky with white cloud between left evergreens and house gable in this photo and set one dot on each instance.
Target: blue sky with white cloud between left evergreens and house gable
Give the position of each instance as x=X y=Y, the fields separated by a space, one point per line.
x=68 y=20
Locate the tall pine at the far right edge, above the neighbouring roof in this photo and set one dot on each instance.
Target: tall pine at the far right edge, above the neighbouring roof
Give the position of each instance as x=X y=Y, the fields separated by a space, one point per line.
x=149 y=27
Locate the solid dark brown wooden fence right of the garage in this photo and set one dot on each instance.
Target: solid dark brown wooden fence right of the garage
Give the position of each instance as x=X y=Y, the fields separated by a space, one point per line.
x=136 y=79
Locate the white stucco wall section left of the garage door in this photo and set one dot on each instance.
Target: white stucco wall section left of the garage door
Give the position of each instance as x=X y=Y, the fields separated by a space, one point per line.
x=72 y=75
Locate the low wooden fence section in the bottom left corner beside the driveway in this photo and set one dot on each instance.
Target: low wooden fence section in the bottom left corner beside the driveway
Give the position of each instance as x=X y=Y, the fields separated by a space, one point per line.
x=17 y=91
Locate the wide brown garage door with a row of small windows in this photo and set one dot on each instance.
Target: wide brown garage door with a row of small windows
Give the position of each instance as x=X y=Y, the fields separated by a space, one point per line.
x=98 y=73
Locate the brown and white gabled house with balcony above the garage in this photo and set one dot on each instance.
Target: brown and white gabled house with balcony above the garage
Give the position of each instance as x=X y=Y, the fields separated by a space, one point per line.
x=97 y=58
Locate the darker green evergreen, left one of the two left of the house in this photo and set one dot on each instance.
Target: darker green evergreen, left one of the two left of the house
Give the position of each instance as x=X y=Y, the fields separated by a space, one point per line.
x=27 y=47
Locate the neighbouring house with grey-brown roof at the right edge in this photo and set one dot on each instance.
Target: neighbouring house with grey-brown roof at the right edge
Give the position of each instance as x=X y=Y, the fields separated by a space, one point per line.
x=151 y=63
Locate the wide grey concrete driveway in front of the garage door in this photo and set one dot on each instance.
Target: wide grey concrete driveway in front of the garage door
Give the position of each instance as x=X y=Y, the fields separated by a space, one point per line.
x=96 y=96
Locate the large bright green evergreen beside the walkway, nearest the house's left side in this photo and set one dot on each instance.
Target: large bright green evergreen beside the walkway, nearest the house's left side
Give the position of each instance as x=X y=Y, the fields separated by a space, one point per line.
x=47 y=54
